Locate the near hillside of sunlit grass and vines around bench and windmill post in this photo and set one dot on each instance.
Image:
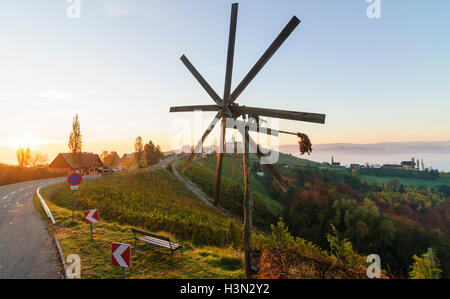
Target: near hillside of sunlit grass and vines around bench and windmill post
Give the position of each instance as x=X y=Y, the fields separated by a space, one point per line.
x=156 y=201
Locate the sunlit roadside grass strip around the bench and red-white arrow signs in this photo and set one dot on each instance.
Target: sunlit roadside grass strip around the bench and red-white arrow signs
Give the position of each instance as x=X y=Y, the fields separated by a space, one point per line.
x=199 y=262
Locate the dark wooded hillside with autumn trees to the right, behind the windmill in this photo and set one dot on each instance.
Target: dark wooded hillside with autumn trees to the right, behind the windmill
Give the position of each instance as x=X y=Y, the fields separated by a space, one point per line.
x=393 y=220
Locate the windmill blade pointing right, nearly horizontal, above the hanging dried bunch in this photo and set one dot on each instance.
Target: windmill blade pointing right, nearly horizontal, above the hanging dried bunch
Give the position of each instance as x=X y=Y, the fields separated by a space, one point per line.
x=282 y=114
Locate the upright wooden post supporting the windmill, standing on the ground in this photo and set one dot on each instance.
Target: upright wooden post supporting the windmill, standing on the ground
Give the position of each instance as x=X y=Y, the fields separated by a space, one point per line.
x=248 y=208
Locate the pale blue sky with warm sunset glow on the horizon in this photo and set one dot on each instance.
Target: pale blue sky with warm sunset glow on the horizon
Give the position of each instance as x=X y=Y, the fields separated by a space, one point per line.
x=118 y=67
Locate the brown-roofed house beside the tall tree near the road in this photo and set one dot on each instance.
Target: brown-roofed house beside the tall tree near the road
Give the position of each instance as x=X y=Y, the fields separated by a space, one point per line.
x=84 y=163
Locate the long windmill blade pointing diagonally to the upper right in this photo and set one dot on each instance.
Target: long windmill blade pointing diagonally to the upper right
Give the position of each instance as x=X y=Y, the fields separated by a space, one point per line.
x=290 y=27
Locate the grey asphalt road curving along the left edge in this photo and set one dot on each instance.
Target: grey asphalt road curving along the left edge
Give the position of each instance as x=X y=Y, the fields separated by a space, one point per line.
x=26 y=250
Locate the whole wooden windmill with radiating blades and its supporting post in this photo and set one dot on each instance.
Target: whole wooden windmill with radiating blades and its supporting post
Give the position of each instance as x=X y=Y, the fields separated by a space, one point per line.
x=227 y=108
